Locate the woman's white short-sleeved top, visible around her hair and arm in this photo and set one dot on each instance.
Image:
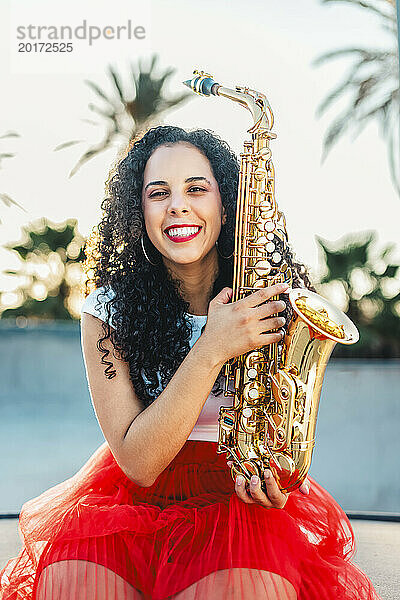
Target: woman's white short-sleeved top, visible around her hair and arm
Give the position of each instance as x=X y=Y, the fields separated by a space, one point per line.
x=206 y=426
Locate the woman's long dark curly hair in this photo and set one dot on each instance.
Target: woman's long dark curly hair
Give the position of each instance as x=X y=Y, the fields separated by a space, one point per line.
x=151 y=332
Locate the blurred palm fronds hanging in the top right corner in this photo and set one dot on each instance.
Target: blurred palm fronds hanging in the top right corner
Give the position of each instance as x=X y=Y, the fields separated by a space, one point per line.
x=372 y=84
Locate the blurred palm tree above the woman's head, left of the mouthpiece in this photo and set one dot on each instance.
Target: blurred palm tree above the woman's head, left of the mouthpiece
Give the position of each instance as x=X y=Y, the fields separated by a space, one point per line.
x=127 y=114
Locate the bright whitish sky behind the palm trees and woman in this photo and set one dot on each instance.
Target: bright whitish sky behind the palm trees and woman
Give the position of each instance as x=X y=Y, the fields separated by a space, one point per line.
x=265 y=44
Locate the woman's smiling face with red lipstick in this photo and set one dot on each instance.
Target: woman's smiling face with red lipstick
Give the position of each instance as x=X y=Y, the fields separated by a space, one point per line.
x=179 y=188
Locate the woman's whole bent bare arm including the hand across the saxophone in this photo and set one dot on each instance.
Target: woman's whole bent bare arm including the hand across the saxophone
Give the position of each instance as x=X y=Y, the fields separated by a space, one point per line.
x=145 y=440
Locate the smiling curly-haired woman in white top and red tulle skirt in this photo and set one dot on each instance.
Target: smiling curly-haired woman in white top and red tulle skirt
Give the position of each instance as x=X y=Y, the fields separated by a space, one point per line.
x=154 y=513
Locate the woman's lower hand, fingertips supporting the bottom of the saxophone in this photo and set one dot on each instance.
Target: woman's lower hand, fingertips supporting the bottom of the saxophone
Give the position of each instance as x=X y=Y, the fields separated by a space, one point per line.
x=254 y=495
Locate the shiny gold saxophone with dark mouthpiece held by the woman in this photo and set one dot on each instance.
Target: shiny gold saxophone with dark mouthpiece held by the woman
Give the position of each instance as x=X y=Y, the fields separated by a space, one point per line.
x=271 y=423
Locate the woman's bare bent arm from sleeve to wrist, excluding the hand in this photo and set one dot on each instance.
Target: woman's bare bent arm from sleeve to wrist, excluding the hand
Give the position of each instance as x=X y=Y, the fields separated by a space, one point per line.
x=145 y=440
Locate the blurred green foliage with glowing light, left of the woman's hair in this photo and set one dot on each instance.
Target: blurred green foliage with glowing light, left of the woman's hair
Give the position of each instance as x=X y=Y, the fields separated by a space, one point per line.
x=50 y=266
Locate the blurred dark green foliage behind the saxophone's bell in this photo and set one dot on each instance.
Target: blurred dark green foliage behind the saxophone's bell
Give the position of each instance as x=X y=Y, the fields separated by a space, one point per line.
x=370 y=281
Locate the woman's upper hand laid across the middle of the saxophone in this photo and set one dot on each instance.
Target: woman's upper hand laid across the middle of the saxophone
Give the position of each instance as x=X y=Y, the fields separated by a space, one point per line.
x=234 y=328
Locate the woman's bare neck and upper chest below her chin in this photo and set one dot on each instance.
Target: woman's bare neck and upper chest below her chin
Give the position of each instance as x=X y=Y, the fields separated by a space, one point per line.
x=197 y=281
